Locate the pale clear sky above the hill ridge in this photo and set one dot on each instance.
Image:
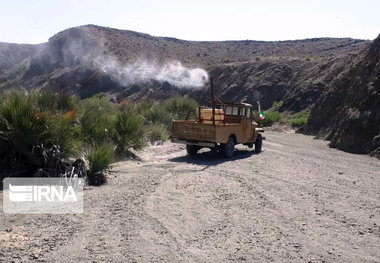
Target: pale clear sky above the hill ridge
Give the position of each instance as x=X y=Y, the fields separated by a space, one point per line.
x=33 y=21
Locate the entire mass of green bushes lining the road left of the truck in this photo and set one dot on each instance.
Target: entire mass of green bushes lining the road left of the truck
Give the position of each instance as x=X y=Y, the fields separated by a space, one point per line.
x=41 y=132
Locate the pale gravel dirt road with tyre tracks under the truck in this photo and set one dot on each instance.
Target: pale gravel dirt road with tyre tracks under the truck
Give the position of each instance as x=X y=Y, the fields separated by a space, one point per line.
x=298 y=201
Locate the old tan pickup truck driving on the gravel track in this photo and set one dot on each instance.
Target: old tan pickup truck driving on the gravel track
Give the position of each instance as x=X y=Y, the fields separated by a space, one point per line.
x=220 y=127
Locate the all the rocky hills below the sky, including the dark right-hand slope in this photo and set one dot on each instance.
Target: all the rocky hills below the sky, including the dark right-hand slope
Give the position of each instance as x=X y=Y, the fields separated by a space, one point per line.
x=337 y=79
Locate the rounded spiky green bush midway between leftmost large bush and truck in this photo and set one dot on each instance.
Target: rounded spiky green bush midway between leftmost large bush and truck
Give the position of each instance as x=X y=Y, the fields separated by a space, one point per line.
x=129 y=131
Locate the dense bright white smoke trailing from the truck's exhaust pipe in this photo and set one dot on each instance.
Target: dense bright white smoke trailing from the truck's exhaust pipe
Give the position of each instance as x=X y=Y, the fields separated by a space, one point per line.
x=143 y=71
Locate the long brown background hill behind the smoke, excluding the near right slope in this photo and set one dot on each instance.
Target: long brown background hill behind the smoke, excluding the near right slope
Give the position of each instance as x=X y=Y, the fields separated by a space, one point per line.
x=78 y=60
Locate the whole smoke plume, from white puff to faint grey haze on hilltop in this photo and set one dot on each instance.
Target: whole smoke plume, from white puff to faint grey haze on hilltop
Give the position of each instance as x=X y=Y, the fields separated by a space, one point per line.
x=81 y=50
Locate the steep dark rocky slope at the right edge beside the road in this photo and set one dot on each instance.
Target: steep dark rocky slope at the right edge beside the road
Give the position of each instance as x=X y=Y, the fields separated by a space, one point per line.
x=348 y=113
